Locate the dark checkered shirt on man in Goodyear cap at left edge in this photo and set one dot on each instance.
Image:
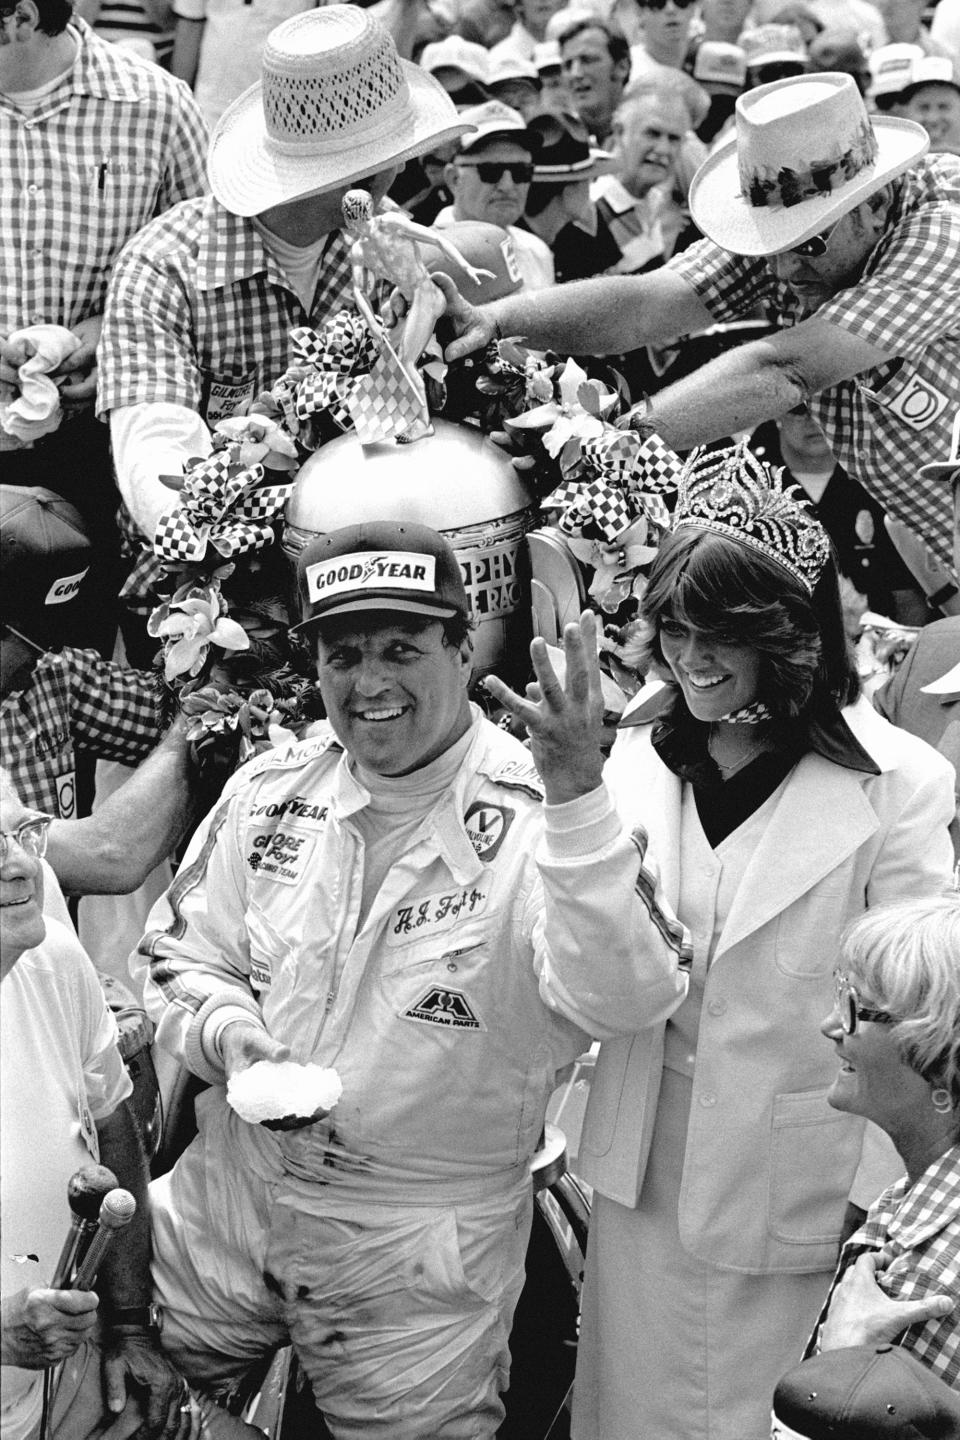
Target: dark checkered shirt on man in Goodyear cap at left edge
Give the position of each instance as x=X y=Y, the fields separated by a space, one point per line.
x=77 y=702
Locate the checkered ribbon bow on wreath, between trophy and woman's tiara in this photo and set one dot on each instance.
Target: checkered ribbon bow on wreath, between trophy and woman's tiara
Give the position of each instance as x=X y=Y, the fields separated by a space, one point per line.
x=627 y=479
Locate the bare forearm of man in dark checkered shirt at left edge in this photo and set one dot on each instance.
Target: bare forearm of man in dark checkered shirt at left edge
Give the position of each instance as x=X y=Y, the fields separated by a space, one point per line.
x=114 y=850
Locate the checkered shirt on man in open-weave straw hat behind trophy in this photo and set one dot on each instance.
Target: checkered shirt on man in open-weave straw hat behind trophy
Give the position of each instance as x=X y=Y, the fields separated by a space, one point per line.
x=199 y=313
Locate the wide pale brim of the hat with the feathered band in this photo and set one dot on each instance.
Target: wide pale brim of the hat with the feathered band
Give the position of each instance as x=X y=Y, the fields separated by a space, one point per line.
x=722 y=212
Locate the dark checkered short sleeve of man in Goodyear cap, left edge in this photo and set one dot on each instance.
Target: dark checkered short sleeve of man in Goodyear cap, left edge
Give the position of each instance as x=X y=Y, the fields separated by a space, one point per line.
x=114 y=711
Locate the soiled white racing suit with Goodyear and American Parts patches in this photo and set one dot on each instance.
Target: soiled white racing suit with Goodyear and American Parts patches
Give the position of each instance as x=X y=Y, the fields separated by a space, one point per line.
x=389 y=1241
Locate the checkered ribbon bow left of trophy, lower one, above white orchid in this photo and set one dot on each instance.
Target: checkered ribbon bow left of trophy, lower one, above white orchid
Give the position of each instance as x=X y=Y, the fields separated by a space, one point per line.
x=222 y=505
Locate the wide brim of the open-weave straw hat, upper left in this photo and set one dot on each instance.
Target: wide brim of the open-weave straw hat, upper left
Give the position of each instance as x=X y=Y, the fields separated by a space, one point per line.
x=248 y=176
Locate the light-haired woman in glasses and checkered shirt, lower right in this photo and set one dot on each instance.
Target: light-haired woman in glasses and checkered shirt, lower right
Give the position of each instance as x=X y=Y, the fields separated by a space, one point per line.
x=896 y=1026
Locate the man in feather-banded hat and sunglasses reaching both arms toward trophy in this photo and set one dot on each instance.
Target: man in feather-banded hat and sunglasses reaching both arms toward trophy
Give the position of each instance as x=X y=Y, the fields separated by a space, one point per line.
x=847 y=235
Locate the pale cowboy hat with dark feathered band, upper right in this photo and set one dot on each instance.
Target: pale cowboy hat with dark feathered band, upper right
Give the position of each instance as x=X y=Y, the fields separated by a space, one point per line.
x=804 y=155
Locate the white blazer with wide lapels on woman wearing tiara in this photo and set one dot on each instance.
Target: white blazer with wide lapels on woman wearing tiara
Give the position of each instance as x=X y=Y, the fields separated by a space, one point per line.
x=769 y=1164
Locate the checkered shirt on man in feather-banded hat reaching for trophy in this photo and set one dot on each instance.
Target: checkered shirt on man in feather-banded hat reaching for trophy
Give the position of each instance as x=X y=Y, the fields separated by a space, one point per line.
x=887 y=423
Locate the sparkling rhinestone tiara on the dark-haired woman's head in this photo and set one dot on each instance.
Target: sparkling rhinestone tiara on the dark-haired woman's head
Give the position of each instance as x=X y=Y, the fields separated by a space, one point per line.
x=732 y=493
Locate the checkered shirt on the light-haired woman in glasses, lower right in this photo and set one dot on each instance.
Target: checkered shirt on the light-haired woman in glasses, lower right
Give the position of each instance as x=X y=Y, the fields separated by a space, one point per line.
x=916 y=1233
